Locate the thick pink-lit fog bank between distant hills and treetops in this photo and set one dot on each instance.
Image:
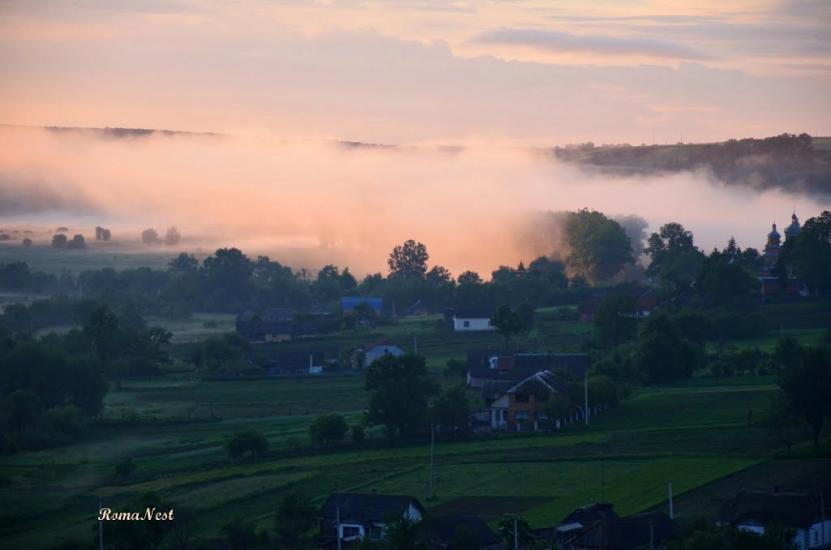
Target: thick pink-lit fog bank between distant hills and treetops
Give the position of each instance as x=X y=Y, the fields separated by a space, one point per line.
x=308 y=203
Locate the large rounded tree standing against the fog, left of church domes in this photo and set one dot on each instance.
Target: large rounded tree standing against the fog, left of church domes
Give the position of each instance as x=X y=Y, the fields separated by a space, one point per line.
x=599 y=247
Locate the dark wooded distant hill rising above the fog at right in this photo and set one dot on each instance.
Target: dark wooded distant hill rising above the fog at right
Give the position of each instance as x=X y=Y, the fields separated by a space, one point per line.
x=793 y=163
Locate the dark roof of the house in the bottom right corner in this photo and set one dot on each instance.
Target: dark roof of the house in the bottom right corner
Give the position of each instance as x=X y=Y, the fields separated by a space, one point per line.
x=770 y=507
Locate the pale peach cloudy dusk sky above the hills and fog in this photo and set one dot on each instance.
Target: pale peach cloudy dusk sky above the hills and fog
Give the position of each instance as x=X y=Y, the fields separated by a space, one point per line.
x=407 y=71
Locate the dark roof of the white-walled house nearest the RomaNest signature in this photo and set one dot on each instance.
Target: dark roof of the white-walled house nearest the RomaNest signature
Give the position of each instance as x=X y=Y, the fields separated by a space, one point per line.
x=367 y=507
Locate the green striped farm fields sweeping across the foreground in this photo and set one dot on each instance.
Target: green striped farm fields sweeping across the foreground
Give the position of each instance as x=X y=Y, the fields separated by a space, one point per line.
x=690 y=435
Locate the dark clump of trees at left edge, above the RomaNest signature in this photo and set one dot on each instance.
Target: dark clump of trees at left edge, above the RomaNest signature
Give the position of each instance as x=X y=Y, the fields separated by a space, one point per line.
x=50 y=387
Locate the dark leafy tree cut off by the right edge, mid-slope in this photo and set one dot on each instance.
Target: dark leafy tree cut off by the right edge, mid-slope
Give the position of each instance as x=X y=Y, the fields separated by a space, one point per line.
x=807 y=385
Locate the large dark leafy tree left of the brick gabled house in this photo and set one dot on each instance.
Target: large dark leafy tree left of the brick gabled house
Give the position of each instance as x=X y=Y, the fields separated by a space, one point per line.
x=399 y=392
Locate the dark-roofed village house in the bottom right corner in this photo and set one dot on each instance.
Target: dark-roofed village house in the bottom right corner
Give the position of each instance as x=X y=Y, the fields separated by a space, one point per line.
x=806 y=516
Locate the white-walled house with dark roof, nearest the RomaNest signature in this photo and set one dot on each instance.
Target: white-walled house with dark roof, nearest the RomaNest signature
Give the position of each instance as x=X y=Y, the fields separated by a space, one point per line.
x=350 y=517
